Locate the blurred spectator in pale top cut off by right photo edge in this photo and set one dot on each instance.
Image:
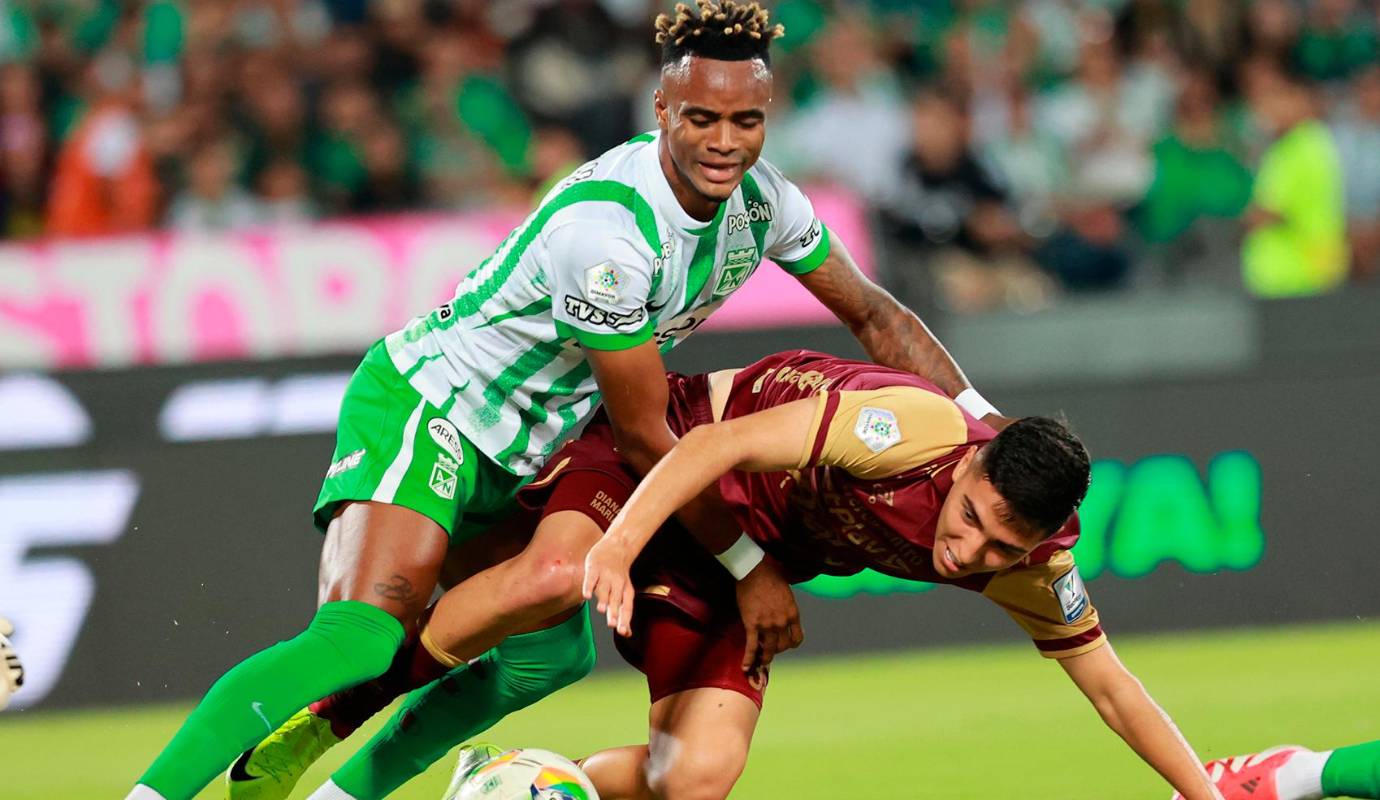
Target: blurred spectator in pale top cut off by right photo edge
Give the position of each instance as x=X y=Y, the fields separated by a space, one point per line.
x=1357 y=130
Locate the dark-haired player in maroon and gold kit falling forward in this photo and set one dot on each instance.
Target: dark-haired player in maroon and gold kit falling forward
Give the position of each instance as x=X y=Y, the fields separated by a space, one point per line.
x=830 y=467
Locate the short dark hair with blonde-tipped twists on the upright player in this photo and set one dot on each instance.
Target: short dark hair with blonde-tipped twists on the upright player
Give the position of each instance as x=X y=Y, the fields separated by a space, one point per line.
x=722 y=30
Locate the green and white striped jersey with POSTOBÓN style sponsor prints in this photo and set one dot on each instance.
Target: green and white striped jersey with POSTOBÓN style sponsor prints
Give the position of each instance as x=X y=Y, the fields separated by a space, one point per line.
x=608 y=261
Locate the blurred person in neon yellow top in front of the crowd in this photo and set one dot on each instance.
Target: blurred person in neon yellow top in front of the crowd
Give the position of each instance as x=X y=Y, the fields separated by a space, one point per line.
x=1297 y=242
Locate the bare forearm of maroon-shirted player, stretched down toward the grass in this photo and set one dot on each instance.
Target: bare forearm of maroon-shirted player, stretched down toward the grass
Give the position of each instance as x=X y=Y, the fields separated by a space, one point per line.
x=1131 y=712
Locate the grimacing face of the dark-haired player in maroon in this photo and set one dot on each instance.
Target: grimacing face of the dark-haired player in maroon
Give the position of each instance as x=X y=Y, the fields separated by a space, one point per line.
x=971 y=536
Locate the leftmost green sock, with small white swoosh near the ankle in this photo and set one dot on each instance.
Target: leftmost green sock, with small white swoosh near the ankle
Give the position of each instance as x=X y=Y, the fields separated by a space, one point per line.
x=347 y=643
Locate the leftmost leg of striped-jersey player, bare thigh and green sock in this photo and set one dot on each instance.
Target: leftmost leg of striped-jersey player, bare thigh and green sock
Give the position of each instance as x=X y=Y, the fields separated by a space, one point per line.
x=377 y=573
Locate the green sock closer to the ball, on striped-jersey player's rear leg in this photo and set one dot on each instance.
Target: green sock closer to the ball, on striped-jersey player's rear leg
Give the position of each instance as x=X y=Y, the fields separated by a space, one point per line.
x=469 y=701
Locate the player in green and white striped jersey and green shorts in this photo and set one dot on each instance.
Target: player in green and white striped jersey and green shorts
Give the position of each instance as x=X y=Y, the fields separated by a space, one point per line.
x=445 y=420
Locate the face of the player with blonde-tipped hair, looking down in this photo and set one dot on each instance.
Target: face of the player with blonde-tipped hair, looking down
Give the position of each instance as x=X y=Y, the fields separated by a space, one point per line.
x=714 y=119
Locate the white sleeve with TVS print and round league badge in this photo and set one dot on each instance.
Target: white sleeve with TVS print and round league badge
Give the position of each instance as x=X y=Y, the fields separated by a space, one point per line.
x=601 y=279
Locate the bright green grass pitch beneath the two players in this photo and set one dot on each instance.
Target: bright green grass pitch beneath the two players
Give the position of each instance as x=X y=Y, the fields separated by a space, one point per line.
x=990 y=722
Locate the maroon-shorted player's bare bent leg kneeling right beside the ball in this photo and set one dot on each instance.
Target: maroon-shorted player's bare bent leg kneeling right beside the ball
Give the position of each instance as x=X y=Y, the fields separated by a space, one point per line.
x=698 y=748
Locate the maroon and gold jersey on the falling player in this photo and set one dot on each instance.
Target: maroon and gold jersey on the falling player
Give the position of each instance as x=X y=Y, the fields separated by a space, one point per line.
x=870 y=485
